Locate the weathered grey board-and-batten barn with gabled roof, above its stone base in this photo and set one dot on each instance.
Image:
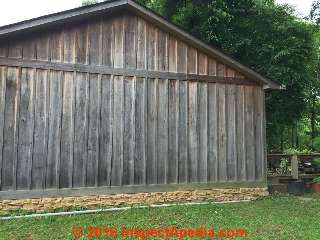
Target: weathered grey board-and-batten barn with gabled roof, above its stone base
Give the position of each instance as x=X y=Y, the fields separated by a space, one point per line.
x=112 y=98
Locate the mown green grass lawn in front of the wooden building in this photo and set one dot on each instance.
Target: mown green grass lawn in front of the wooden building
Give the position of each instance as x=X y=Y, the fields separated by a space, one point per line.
x=277 y=217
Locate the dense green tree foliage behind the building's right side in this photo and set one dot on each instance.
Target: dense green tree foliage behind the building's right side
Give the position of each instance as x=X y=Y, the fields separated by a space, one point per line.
x=272 y=40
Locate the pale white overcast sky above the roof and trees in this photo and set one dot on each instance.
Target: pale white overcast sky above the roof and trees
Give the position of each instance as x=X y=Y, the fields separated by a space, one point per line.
x=18 y=10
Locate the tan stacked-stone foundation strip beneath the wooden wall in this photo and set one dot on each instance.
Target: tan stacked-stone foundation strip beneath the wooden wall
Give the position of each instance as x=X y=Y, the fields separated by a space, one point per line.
x=216 y=195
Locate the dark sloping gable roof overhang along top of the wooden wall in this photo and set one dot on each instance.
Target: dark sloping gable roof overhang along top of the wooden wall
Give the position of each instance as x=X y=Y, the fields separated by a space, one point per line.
x=112 y=5
